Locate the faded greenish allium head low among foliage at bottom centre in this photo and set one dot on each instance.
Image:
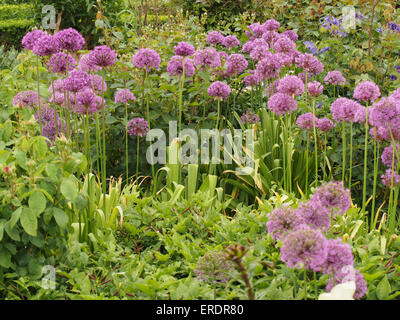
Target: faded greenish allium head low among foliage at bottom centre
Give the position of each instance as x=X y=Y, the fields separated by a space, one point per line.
x=214 y=267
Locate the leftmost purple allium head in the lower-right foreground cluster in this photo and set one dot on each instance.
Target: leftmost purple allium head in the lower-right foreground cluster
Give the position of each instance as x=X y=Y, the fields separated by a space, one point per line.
x=281 y=221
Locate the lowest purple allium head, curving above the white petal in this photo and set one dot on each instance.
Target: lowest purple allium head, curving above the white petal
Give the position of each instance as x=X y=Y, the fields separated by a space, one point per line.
x=348 y=273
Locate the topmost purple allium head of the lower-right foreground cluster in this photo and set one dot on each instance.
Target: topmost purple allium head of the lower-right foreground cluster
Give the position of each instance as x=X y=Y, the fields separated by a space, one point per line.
x=334 y=197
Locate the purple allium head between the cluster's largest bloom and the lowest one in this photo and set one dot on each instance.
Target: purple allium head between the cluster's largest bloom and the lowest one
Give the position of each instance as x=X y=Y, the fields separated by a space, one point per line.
x=339 y=256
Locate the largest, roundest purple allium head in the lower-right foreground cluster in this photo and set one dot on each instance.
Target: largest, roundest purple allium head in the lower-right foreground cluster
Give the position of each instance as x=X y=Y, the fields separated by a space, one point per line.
x=304 y=247
